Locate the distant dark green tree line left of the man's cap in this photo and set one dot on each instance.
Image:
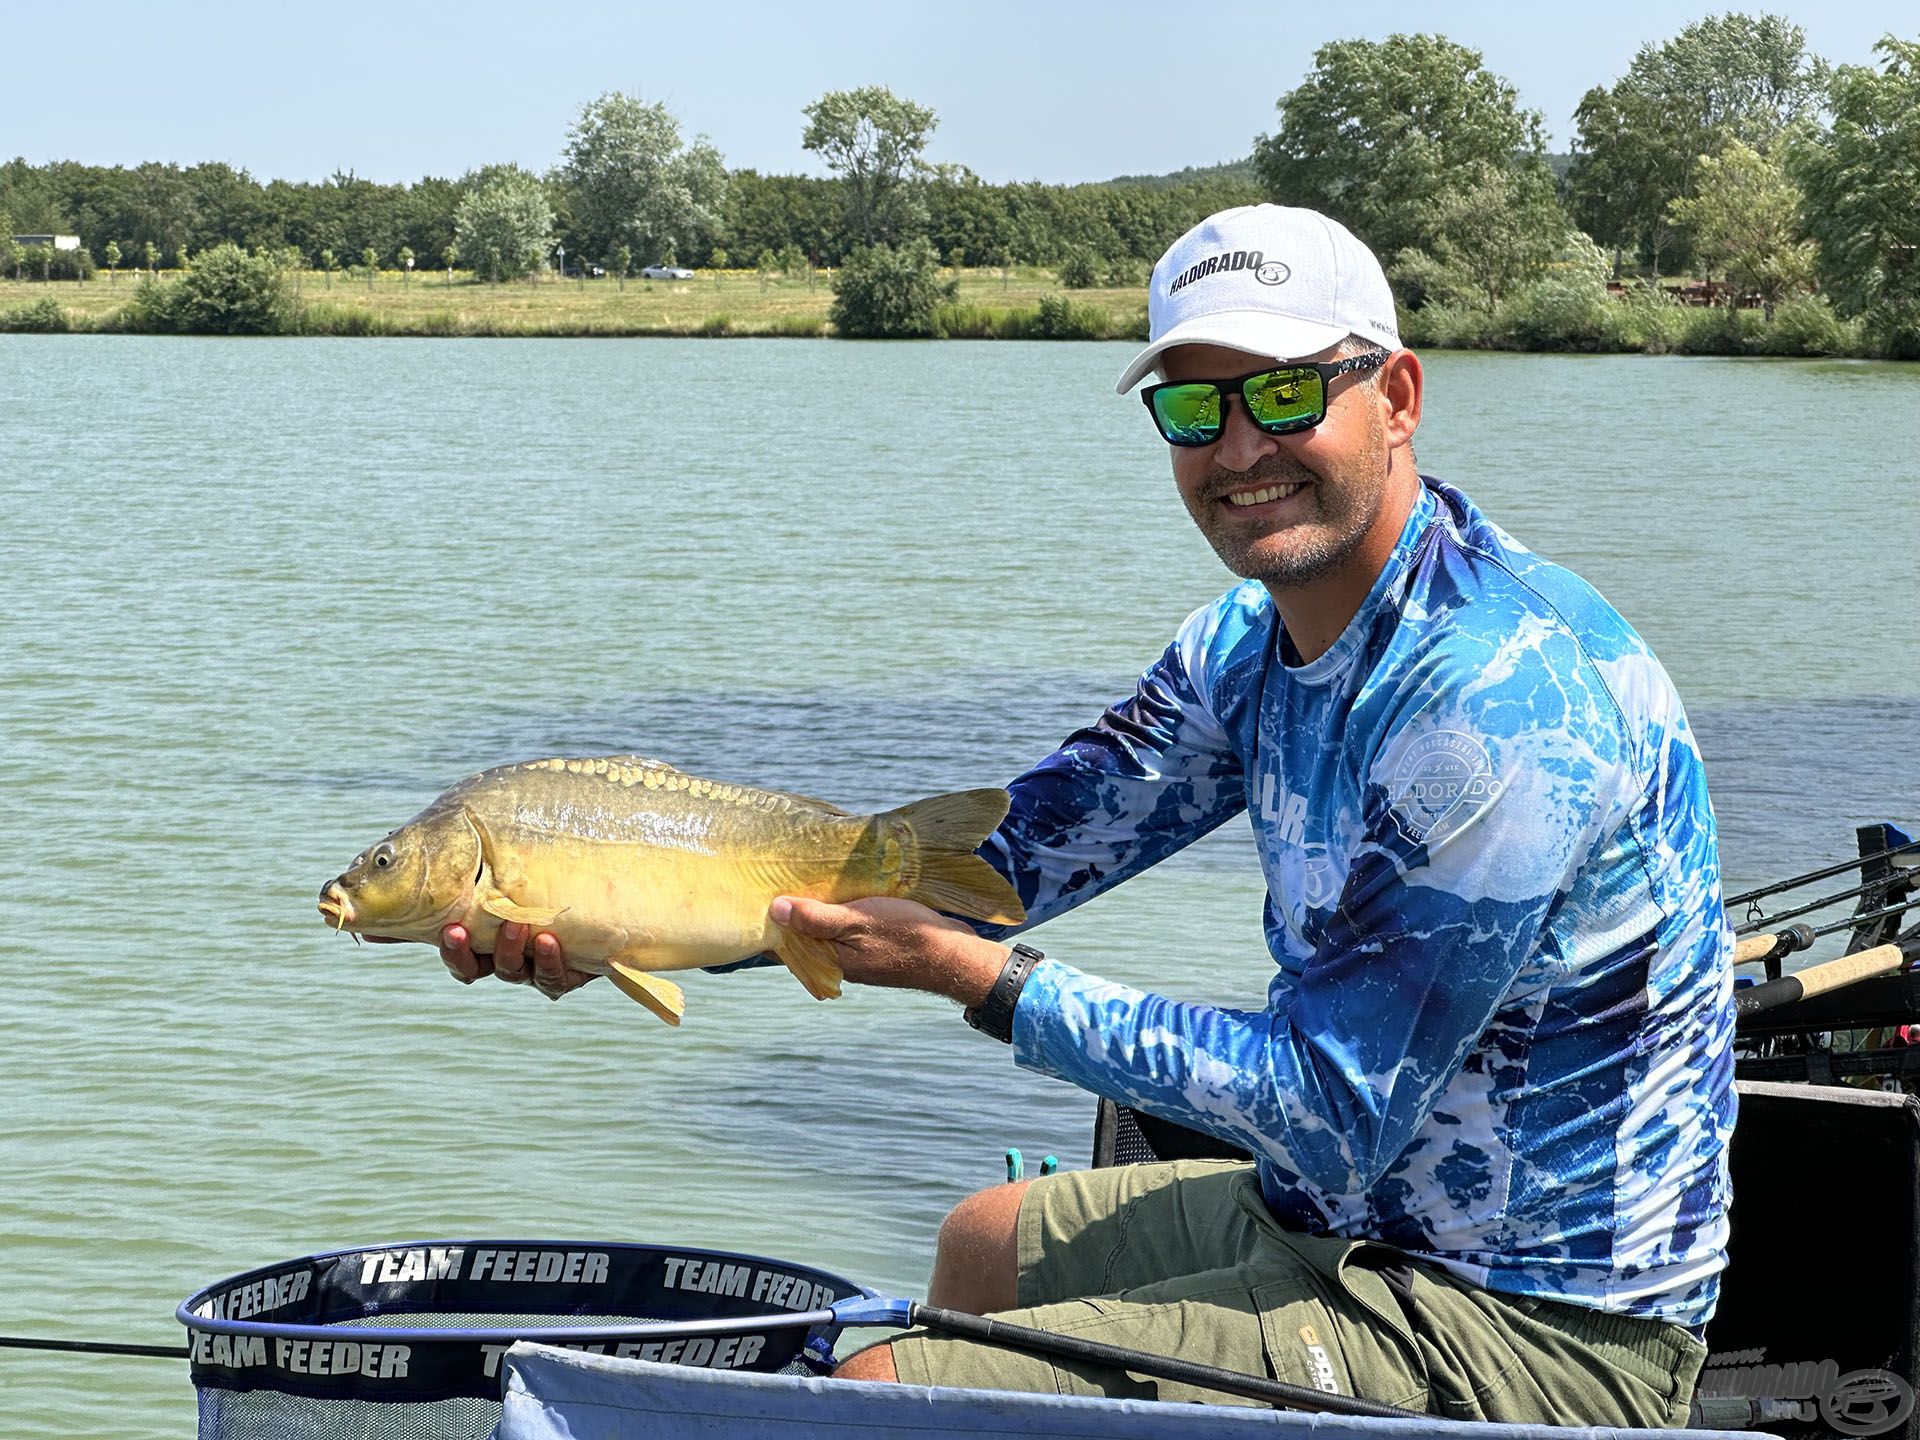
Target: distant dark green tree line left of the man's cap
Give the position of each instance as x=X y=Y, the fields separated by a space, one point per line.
x=625 y=183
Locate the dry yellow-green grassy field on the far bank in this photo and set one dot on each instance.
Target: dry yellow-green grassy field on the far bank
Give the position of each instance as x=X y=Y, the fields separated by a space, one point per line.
x=717 y=302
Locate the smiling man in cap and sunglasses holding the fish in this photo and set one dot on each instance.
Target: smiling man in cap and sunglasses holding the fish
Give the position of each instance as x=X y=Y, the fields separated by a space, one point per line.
x=1491 y=1093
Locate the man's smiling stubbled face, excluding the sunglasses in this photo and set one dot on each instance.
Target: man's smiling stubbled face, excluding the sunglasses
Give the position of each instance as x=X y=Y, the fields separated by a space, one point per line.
x=1284 y=510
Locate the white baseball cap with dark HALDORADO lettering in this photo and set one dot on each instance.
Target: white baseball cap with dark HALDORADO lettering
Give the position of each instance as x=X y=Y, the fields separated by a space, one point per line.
x=1266 y=279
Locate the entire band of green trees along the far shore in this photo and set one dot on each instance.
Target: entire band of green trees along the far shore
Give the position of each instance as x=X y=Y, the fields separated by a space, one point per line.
x=1727 y=153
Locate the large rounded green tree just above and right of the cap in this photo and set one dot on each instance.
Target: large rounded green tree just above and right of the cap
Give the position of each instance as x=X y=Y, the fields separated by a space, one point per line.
x=1383 y=130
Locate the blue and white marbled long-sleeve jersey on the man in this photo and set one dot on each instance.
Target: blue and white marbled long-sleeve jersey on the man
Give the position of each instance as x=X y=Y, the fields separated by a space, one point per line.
x=1499 y=1034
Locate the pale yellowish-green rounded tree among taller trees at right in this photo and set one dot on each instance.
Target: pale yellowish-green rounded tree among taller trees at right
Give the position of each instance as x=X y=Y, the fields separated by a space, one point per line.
x=1744 y=224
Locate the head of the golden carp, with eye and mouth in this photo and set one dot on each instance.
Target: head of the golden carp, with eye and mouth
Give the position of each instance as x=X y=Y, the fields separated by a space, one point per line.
x=410 y=884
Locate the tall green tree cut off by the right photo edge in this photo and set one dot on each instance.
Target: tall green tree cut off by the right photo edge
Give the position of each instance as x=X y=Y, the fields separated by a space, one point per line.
x=1863 y=195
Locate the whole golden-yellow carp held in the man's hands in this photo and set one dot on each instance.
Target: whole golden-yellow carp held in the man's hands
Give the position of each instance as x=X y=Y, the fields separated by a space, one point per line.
x=638 y=867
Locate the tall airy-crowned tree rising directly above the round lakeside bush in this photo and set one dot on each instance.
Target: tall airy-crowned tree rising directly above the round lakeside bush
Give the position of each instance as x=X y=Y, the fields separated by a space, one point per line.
x=873 y=141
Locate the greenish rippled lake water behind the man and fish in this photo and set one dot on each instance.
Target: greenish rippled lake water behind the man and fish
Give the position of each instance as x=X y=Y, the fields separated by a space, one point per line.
x=264 y=600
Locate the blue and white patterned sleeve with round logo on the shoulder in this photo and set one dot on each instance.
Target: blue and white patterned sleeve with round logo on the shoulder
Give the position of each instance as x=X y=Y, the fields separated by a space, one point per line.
x=1485 y=782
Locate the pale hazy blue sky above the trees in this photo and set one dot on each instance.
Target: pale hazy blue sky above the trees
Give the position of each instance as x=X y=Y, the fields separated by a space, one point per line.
x=1024 y=91
